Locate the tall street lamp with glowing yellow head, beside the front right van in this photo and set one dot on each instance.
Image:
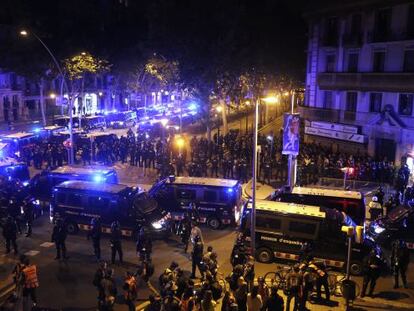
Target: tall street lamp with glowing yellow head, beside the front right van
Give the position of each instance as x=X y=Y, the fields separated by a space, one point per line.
x=267 y=100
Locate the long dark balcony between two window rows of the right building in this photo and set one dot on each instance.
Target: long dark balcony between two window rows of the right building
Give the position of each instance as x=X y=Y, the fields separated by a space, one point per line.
x=367 y=82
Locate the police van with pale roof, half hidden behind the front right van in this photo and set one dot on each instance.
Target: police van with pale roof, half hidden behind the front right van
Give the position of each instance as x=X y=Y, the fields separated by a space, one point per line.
x=350 y=202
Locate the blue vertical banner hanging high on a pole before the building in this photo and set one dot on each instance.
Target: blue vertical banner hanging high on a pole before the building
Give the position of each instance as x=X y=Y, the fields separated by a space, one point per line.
x=291 y=134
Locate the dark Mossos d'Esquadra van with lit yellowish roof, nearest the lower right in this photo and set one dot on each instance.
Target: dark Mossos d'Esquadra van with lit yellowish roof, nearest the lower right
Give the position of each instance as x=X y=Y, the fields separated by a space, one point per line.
x=283 y=230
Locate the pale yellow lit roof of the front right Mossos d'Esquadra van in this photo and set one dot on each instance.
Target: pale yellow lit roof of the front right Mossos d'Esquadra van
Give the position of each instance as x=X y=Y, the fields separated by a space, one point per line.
x=288 y=208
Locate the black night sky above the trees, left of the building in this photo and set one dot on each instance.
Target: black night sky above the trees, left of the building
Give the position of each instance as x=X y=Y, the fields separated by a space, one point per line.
x=231 y=34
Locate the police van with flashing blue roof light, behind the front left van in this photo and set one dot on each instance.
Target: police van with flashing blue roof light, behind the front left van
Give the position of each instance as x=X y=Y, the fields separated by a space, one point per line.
x=43 y=183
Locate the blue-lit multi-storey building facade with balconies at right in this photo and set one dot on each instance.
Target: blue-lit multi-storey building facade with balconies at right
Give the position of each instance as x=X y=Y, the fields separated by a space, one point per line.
x=360 y=78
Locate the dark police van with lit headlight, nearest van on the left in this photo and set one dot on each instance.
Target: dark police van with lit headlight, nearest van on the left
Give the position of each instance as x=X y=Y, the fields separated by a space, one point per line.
x=80 y=201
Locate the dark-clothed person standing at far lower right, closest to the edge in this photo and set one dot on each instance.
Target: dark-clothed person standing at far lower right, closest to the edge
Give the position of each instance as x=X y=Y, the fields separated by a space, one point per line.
x=400 y=258
